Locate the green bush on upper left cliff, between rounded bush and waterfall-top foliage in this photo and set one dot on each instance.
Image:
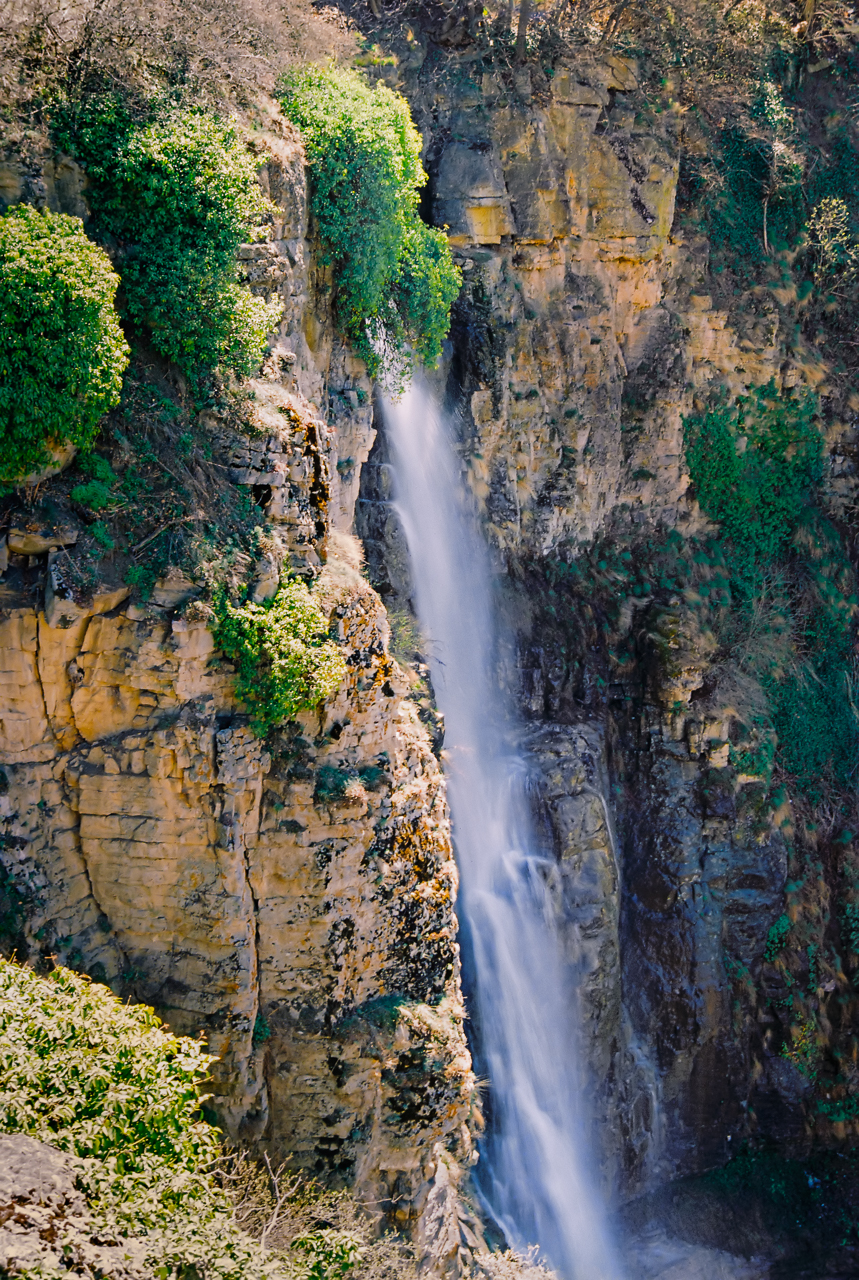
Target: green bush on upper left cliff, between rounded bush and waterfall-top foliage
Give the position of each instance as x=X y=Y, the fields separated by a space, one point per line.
x=181 y=194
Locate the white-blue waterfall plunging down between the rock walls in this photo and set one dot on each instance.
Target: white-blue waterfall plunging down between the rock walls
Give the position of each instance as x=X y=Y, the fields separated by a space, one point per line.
x=533 y=1172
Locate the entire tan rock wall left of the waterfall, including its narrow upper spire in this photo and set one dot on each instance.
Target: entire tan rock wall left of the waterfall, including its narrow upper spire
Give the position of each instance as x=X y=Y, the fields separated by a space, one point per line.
x=294 y=903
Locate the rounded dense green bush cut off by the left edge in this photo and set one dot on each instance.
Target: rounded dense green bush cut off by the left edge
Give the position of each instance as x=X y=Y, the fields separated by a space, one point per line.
x=62 y=351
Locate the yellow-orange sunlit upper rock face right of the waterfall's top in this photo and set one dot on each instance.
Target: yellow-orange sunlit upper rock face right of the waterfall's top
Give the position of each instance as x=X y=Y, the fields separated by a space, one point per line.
x=584 y=331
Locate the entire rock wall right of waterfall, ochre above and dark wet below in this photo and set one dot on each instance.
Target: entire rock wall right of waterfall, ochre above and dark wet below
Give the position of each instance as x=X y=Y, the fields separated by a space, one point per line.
x=586 y=332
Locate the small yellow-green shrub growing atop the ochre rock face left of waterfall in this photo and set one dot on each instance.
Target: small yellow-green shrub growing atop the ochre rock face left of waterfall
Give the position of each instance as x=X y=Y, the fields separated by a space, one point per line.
x=284 y=659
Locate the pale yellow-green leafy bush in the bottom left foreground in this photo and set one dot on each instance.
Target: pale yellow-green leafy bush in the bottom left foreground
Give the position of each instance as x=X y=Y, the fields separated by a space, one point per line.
x=106 y=1082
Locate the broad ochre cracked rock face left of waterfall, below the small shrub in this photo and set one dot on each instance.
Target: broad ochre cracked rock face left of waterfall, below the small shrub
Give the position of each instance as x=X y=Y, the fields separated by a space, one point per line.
x=296 y=908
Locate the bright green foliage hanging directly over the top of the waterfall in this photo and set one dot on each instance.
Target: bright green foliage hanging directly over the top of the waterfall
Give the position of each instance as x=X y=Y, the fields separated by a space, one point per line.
x=395 y=278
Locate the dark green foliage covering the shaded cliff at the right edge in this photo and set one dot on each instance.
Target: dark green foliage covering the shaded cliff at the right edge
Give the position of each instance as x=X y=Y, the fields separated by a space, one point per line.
x=780 y=547
